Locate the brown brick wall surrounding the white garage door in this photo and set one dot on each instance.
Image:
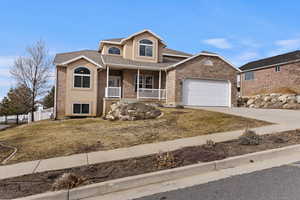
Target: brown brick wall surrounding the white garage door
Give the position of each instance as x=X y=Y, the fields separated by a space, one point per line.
x=195 y=68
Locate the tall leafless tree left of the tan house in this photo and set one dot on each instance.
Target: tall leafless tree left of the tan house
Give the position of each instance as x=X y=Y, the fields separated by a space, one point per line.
x=33 y=71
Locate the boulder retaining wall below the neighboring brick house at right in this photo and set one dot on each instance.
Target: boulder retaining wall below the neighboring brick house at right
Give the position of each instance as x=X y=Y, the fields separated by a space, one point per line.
x=273 y=101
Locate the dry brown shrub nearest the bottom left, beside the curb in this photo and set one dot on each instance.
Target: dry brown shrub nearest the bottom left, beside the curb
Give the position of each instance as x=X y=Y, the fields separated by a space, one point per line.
x=67 y=181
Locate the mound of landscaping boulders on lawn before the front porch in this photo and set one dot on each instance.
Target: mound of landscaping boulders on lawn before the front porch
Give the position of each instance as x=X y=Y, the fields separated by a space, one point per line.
x=132 y=111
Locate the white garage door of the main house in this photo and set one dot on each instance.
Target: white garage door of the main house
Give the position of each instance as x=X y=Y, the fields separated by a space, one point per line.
x=206 y=92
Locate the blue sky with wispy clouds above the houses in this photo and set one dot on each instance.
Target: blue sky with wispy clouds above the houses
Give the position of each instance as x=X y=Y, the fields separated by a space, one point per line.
x=239 y=30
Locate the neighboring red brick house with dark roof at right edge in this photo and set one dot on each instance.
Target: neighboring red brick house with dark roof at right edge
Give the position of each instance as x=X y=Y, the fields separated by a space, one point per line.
x=273 y=74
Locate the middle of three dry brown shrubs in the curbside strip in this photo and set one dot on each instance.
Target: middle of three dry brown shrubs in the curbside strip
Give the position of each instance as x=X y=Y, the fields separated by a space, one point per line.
x=166 y=160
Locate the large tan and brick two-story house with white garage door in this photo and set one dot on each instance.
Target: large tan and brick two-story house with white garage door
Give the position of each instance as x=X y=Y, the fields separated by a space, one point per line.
x=88 y=81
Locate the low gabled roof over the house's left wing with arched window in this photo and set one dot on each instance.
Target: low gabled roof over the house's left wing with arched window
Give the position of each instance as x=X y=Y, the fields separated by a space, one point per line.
x=89 y=55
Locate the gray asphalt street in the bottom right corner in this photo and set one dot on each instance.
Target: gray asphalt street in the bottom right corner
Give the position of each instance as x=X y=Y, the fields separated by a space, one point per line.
x=280 y=183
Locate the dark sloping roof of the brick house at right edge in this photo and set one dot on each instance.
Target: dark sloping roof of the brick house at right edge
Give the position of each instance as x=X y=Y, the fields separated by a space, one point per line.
x=272 y=61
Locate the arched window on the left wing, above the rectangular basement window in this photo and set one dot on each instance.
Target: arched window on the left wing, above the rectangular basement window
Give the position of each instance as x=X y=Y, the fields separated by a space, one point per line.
x=82 y=77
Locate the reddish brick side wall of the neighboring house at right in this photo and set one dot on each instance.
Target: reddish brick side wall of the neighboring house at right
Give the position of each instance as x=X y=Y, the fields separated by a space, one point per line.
x=268 y=80
